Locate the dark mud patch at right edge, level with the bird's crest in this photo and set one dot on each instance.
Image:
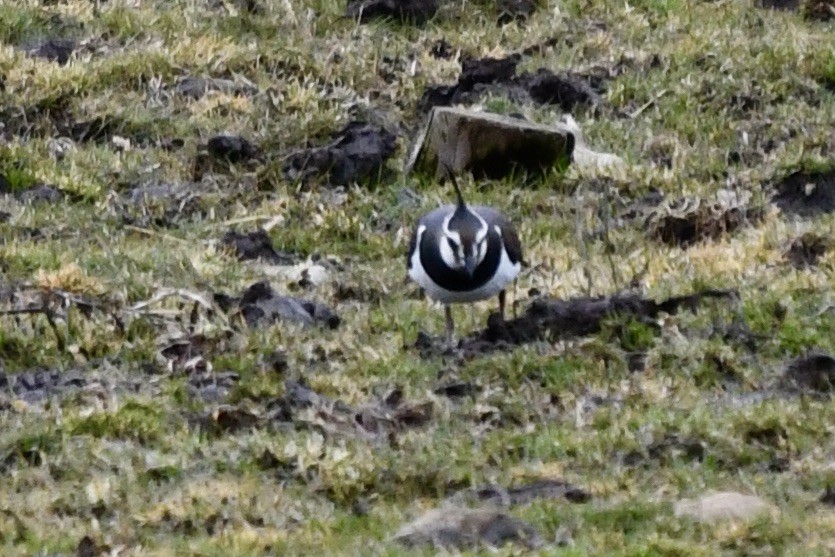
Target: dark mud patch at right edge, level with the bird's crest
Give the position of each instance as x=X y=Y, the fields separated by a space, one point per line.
x=806 y=194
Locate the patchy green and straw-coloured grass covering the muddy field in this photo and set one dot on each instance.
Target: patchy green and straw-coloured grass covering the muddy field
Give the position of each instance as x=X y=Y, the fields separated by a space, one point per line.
x=742 y=97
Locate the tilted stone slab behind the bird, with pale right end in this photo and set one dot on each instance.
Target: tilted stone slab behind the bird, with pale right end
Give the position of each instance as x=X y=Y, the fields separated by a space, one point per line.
x=493 y=145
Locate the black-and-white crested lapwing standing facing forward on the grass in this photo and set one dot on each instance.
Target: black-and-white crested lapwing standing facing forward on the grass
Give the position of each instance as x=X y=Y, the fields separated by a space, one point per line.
x=461 y=253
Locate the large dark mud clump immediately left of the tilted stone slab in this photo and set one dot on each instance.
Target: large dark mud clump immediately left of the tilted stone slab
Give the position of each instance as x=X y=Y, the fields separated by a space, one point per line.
x=357 y=153
